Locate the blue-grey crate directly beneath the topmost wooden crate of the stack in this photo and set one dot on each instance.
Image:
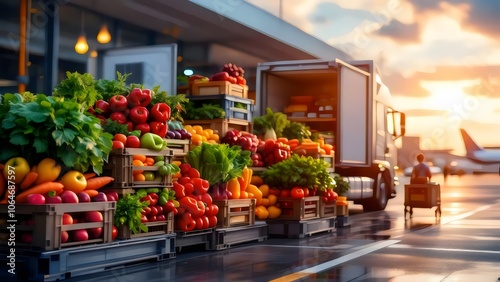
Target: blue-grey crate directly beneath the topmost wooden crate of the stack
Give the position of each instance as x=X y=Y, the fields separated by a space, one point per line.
x=228 y=103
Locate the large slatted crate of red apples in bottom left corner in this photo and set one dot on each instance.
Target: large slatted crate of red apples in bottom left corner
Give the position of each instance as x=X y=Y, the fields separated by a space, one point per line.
x=44 y=222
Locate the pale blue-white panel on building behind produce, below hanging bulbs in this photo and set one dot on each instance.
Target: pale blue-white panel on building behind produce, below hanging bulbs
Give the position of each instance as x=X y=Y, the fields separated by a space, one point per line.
x=148 y=65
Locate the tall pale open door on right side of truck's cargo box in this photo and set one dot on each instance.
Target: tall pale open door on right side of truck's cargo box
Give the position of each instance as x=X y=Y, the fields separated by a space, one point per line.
x=354 y=131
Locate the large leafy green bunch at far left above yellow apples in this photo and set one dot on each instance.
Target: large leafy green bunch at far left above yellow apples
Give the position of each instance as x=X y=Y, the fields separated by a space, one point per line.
x=52 y=127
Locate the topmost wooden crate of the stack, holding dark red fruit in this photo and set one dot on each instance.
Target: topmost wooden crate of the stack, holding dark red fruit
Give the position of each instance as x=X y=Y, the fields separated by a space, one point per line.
x=219 y=87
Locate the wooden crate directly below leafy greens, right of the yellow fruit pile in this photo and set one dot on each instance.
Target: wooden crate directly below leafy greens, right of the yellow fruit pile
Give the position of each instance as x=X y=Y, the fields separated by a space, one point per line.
x=298 y=209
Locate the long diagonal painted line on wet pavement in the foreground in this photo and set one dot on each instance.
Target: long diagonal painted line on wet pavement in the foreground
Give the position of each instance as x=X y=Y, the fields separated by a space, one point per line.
x=329 y=264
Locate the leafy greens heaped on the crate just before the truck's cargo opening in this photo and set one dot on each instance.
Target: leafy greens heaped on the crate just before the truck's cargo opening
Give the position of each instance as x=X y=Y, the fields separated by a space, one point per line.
x=299 y=171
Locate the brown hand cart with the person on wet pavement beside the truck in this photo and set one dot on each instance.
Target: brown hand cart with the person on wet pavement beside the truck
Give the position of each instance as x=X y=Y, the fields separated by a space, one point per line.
x=422 y=196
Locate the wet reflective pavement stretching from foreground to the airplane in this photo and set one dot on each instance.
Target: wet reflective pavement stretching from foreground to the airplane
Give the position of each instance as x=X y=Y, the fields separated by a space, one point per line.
x=462 y=245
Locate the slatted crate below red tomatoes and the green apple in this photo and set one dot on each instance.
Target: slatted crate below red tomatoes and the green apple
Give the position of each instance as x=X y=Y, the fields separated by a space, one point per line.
x=120 y=167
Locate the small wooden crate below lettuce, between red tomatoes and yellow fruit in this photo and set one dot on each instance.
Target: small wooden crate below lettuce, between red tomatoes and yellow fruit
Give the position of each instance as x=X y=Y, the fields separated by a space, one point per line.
x=235 y=212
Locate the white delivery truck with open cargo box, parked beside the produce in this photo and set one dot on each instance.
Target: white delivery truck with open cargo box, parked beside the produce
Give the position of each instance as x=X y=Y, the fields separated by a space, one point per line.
x=347 y=104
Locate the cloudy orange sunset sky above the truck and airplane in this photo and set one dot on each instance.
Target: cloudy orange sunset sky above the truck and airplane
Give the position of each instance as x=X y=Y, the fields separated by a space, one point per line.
x=441 y=59
